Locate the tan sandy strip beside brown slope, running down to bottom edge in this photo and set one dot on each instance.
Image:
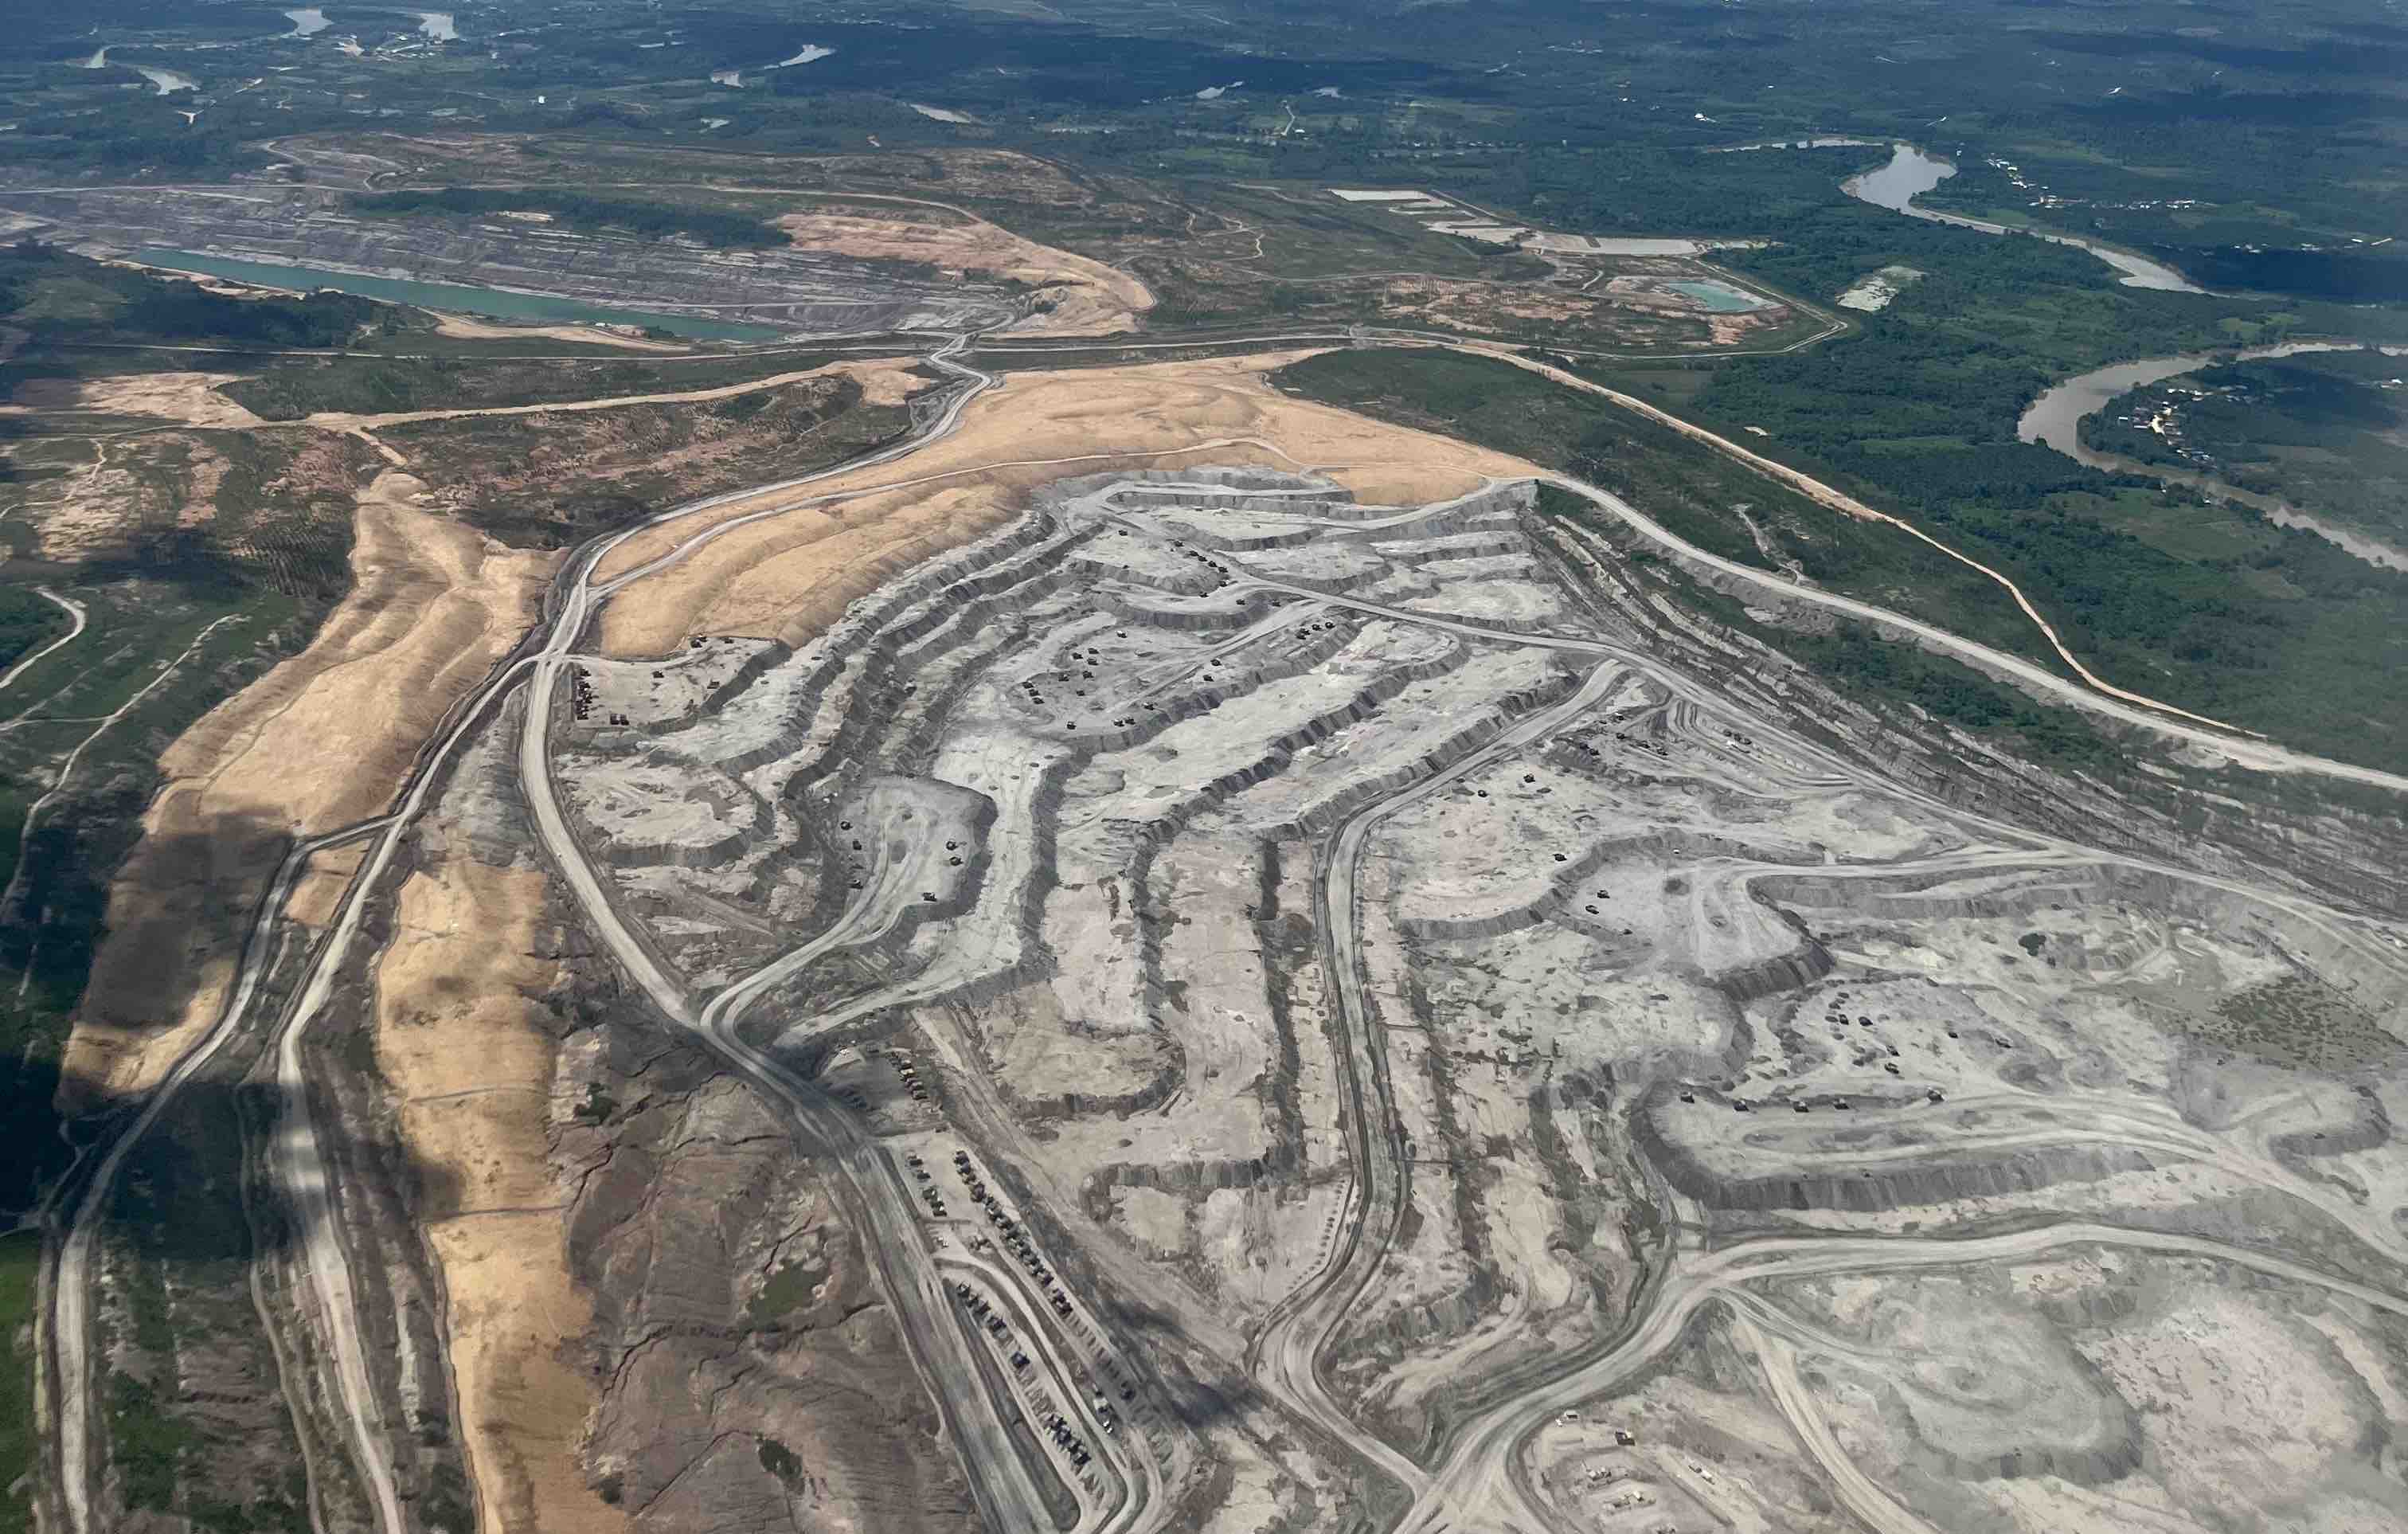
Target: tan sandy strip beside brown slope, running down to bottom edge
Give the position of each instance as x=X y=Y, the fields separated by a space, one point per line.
x=461 y=1039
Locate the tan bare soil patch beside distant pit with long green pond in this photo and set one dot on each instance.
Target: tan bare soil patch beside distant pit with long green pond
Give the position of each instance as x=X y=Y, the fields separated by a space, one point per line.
x=1087 y=295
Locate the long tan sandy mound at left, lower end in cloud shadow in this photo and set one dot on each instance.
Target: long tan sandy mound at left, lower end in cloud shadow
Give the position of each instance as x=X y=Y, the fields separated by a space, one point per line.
x=314 y=745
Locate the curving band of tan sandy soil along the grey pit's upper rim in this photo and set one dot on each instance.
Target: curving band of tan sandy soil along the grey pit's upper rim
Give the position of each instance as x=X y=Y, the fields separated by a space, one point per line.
x=789 y=577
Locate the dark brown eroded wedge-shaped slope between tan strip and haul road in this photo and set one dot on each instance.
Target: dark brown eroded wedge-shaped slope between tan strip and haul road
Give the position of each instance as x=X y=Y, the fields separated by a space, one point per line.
x=685 y=1205
